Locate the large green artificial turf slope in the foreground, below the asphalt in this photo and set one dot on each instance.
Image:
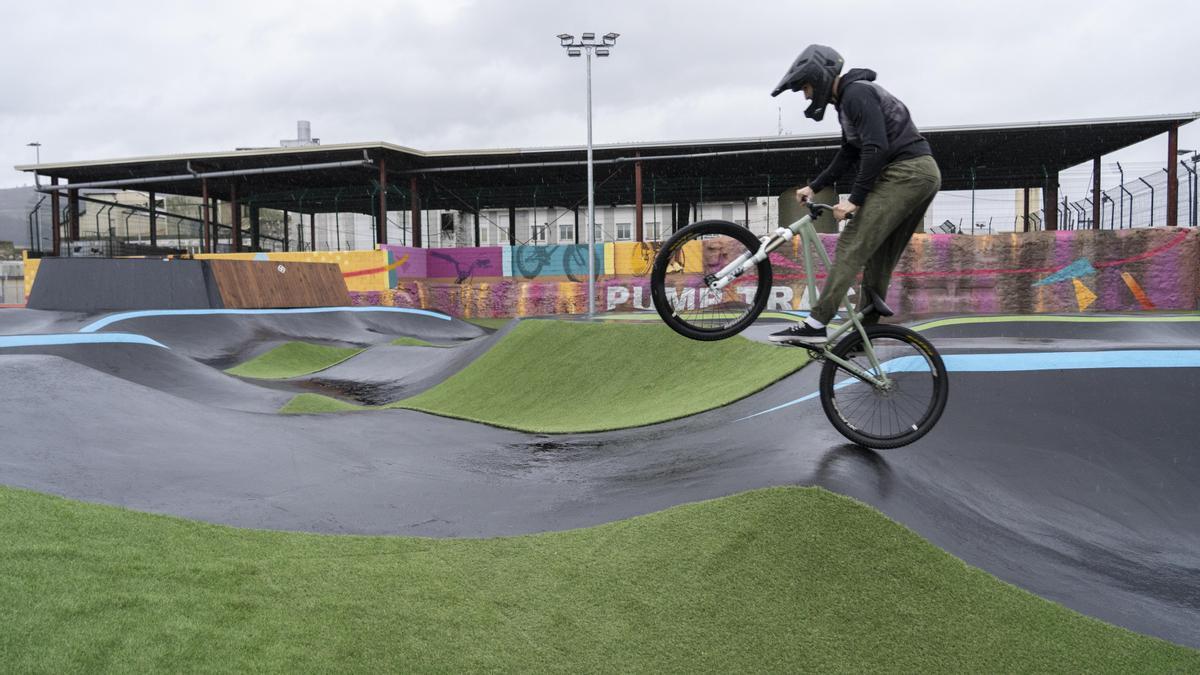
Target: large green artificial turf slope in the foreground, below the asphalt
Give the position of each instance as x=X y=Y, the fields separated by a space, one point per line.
x=784 y=580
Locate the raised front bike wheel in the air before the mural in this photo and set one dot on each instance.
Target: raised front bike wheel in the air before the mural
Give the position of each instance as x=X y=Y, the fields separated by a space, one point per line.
x=682 y=295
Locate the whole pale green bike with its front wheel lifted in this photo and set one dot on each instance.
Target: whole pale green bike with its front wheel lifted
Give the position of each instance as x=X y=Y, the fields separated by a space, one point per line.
x=881 y=386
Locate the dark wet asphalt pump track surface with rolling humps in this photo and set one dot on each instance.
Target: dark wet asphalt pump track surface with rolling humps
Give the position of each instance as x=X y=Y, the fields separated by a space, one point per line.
x=1081 y=485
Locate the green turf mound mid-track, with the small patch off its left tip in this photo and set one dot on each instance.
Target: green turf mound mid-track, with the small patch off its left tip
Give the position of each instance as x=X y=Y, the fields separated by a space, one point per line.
x=561 y=377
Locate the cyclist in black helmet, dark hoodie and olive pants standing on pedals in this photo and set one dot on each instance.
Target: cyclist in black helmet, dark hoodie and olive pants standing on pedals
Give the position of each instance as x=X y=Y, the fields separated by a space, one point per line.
x=897 y=180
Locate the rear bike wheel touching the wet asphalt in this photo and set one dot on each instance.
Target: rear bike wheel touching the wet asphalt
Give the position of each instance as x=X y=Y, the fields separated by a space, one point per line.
x=898 y=415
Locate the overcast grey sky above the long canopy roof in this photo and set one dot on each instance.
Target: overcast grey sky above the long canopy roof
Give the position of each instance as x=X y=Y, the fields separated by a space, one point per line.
x=130 y=79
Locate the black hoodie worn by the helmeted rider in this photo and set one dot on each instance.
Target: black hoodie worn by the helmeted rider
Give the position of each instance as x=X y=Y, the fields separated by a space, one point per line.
x=877 y=130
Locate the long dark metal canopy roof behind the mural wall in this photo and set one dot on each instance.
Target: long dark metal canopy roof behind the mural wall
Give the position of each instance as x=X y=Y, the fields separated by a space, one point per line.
x=1000 y=157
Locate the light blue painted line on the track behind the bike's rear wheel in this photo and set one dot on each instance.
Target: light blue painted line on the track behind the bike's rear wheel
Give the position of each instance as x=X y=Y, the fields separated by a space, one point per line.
x=1030 y=362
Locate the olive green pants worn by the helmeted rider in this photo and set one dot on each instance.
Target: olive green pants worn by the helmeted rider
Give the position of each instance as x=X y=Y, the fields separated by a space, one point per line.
x=877 y=237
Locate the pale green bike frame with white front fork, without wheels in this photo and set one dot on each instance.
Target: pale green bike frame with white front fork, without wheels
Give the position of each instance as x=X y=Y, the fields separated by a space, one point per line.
x=811 y=242
